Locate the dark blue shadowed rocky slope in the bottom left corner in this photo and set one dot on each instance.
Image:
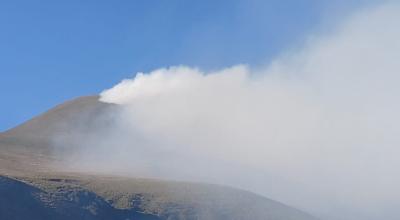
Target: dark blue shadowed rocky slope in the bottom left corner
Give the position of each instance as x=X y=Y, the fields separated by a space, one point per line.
x=19 y=201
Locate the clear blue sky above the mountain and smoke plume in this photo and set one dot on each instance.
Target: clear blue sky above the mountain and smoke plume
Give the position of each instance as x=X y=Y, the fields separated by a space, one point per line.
x=51 y=51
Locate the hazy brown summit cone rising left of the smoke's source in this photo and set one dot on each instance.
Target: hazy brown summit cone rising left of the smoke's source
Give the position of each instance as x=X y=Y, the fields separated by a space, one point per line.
x=76 y=116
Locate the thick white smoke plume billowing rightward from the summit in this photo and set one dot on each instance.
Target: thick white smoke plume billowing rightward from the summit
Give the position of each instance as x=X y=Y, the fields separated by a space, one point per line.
x=318 y=128
